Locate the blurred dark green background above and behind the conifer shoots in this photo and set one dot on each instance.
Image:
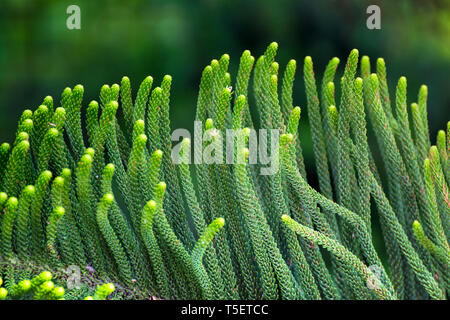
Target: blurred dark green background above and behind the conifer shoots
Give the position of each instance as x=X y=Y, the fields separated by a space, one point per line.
x=39 y=56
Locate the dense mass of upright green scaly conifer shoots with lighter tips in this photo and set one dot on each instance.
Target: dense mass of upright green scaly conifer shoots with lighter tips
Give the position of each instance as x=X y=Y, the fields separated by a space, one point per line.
x=82 y=186
